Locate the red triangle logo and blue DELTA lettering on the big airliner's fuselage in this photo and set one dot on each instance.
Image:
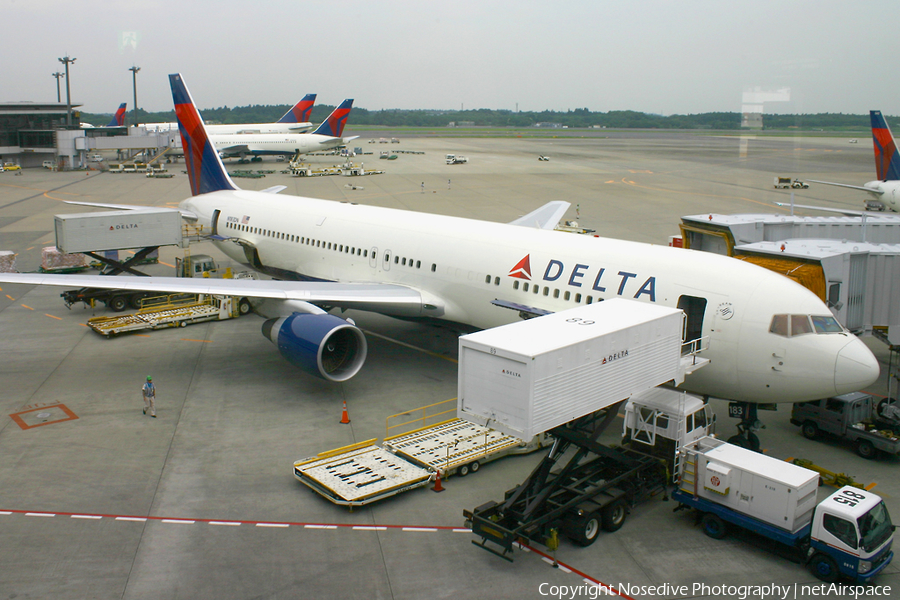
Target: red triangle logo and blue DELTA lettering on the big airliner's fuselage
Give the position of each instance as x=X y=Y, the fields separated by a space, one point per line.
x=580 y=275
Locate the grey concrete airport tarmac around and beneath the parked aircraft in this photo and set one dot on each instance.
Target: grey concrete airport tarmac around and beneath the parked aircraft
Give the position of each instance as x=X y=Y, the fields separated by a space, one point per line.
x=98 y=500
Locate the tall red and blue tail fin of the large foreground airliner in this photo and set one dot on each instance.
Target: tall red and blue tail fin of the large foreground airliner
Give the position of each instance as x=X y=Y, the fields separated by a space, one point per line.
x=204 y=167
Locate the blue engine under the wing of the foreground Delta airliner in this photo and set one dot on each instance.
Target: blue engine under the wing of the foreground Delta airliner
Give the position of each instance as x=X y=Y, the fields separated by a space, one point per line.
x=320 y=344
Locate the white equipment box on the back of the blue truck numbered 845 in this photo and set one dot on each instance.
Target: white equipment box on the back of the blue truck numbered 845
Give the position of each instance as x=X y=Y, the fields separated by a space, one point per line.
x=759 y=486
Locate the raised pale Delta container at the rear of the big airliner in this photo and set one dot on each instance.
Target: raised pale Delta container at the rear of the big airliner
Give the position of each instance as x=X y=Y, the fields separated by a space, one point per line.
x=118 y=229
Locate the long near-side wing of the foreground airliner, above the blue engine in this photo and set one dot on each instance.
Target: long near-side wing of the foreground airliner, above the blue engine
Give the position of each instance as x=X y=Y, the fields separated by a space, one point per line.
x=393 y=299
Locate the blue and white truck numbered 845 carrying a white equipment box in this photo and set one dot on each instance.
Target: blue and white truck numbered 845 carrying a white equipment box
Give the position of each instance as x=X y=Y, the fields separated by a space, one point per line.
x=848 y=534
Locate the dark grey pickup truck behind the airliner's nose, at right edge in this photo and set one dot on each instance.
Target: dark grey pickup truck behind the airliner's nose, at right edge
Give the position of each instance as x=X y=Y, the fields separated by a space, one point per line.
x=850 y=417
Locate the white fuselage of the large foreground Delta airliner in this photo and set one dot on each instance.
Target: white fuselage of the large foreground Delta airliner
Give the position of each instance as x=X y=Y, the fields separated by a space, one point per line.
x=461 y=265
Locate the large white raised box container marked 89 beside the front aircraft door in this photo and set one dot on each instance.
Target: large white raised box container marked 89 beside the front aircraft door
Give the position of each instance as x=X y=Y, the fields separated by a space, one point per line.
x=528 y=377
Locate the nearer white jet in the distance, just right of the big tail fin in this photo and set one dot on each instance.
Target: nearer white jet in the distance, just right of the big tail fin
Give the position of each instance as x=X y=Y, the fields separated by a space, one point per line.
x=326 y=136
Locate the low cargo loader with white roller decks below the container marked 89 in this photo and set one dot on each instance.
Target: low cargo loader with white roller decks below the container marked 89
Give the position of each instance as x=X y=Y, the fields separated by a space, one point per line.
x=366 y=472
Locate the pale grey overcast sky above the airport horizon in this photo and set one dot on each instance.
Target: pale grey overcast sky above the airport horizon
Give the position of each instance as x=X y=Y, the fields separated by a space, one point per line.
x=658 y=56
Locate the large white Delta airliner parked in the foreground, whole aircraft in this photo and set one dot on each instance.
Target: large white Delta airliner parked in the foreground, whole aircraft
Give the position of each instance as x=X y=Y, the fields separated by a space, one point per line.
x=768 y=339
